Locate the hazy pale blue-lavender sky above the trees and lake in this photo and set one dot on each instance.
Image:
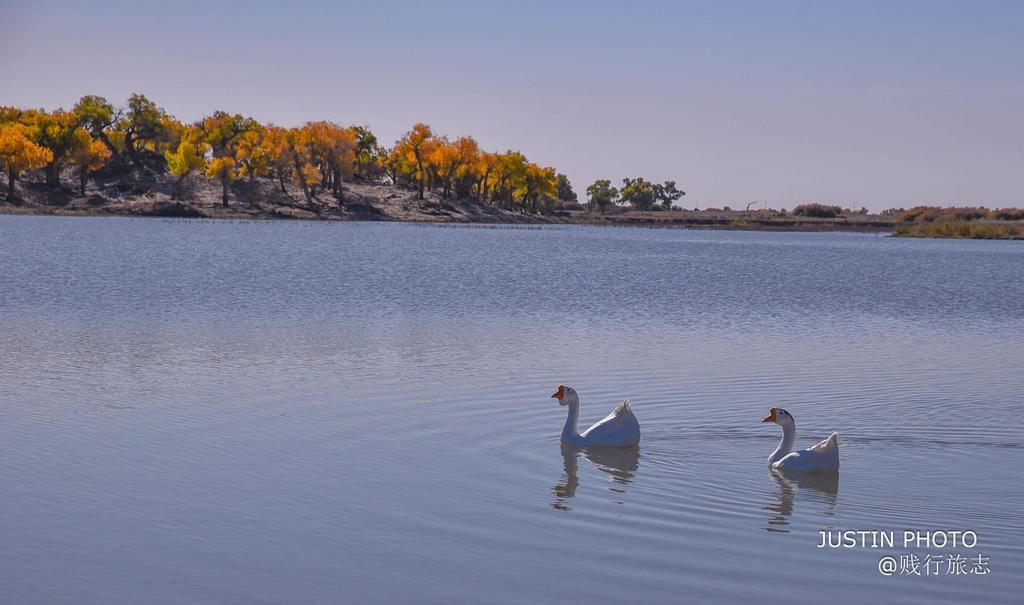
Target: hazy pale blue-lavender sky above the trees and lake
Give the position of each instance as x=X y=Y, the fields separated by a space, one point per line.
x=859 y=104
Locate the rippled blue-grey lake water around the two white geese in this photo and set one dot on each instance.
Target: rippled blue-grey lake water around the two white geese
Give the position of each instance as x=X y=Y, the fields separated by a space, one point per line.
x=197 y=412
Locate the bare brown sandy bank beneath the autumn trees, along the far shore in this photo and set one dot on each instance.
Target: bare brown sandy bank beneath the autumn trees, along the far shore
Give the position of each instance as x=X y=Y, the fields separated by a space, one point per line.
x=149 y=195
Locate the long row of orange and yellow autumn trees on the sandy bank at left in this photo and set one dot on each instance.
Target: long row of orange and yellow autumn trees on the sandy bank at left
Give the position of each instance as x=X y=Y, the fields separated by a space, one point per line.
x=319 y=157
